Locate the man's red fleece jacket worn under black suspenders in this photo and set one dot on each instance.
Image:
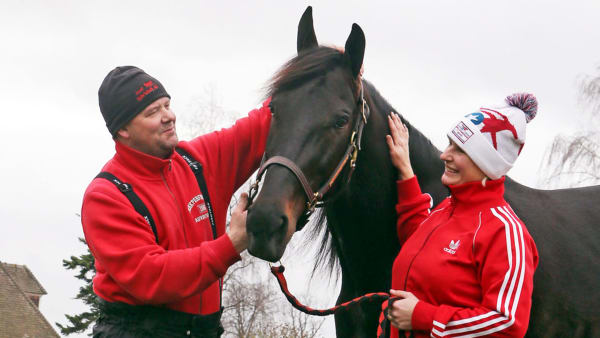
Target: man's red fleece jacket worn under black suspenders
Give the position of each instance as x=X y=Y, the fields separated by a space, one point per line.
x=181 y=272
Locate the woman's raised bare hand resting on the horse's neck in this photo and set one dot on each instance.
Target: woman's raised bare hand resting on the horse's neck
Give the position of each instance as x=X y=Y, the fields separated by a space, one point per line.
x=398 y=145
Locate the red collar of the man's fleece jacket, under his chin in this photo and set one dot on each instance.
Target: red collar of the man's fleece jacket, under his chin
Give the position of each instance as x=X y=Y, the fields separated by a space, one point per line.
x=139 y=162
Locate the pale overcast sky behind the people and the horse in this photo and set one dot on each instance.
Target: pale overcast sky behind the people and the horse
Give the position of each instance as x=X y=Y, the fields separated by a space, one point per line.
x=433 y=60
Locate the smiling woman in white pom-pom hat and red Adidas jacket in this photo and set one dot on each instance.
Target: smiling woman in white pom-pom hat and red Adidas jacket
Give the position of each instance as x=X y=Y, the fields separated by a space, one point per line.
x=465 y=268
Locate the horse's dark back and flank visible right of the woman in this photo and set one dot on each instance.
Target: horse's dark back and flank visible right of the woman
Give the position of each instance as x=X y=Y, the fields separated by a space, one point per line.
x=565 y=226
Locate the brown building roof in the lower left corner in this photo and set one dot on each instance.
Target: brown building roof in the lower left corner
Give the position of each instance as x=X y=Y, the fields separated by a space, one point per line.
x=19 y=316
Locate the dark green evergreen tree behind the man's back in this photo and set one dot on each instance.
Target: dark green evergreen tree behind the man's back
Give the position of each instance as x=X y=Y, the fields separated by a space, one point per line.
x=84 y=264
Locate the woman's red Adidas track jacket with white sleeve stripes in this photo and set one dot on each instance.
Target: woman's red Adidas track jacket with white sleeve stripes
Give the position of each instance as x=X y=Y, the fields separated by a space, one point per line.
x=470 y=262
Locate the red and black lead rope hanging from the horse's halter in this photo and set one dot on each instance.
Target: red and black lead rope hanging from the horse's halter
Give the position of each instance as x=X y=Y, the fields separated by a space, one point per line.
x=383 y=326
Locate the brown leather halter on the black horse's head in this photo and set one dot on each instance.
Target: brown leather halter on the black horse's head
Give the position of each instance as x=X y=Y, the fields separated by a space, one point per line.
x=315 y=199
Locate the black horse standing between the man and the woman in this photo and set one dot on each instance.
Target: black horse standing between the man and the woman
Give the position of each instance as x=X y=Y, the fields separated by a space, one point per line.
x=315 y=104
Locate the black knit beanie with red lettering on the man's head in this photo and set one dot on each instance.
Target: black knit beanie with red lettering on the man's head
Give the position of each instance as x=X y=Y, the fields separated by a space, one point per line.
x=124 y=93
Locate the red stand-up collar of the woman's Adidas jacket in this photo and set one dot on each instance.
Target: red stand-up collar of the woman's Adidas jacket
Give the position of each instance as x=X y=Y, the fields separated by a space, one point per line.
x=473 y=194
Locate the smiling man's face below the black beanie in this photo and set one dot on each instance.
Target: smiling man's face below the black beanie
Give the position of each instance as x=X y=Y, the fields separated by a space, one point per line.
x=153 y=130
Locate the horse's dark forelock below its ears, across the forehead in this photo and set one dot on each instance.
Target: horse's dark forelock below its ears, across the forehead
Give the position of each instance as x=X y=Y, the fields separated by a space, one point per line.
x=307 y=65
